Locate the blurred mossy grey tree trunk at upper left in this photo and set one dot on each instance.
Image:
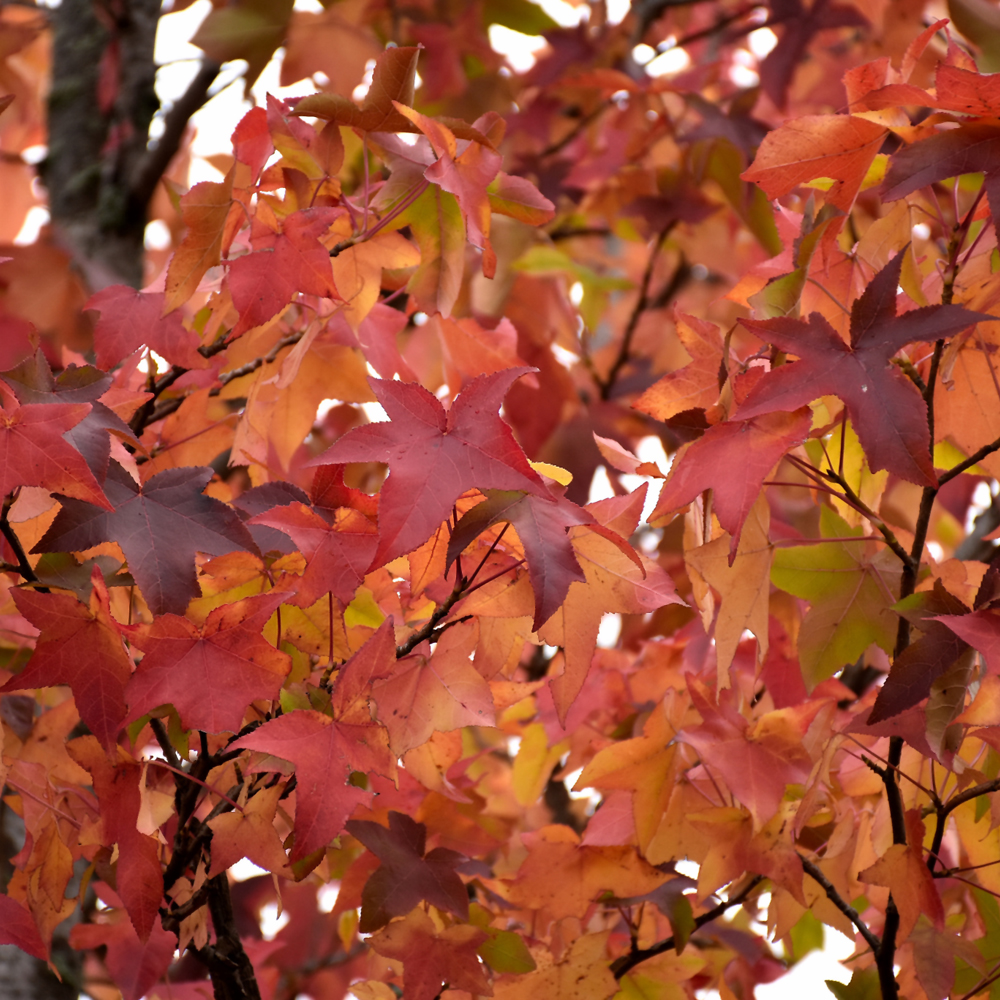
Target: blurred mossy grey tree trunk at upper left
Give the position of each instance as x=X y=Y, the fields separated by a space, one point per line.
x=100 y=106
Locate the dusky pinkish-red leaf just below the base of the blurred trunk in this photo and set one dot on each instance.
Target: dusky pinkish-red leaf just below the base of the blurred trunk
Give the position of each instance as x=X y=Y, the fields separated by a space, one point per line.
x=130 y=318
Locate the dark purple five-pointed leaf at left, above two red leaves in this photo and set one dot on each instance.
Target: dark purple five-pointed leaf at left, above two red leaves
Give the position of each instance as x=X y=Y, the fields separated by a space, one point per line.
x=159 y=526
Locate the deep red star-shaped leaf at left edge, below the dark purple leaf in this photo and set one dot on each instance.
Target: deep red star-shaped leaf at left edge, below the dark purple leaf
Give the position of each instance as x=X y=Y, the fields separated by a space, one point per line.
x=80 y=645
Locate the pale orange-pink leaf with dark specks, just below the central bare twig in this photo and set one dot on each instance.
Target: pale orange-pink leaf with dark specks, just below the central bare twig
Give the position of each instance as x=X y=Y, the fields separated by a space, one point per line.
x=428 y=693
